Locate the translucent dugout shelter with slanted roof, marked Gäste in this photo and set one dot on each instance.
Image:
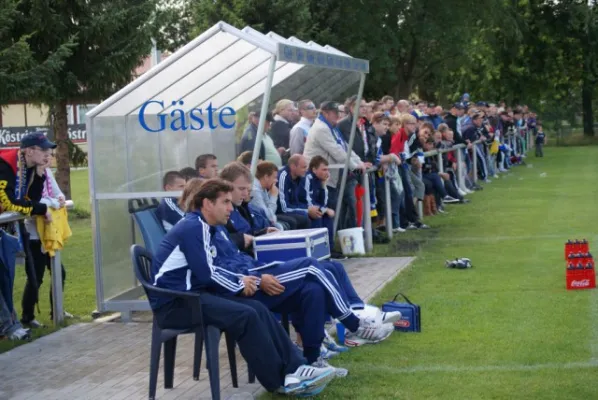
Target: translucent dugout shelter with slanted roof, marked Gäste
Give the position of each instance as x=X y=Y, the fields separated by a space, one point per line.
x=224 y=66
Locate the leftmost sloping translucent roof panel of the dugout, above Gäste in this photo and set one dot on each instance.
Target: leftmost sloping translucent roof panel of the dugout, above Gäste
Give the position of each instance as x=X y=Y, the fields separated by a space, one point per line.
x=191 y=61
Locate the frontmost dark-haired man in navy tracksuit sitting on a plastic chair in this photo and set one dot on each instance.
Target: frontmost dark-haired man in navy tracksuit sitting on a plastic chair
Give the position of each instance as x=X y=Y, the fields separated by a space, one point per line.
x=187 y=261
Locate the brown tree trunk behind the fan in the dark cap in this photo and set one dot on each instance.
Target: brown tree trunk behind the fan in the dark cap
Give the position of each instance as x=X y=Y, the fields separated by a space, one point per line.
x=63 y=168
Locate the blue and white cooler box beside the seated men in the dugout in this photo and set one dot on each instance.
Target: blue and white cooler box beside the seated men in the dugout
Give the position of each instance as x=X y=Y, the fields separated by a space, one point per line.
x=289 y=245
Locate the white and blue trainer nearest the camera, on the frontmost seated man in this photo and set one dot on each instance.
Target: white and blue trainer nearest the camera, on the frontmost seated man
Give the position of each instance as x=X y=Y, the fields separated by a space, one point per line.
x=307 y=380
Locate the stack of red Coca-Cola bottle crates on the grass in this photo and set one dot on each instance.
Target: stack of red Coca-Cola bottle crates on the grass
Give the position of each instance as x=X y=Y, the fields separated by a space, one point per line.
x=580 y=266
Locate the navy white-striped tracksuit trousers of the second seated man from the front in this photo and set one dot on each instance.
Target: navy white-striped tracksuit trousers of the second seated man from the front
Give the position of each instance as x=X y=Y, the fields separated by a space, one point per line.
x=307 y=288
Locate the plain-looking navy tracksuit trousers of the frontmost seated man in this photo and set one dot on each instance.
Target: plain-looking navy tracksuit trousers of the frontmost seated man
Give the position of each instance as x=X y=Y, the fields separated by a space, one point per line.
x=263 y=342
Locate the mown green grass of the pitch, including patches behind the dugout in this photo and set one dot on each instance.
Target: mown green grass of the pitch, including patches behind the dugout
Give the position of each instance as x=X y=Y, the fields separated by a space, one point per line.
x=506 y=329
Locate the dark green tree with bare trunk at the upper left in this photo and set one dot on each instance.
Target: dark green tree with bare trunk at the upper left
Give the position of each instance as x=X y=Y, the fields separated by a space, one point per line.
x=112 y=38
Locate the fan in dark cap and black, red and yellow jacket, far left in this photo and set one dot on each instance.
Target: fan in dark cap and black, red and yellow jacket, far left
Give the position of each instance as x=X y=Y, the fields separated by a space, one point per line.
x=21 y=185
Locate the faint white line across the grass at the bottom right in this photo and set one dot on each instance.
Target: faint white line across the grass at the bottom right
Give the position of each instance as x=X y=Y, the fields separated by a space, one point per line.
x=482 y=368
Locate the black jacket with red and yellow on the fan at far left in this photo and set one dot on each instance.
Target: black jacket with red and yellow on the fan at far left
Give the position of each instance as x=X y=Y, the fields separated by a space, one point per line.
x=29 y=203
